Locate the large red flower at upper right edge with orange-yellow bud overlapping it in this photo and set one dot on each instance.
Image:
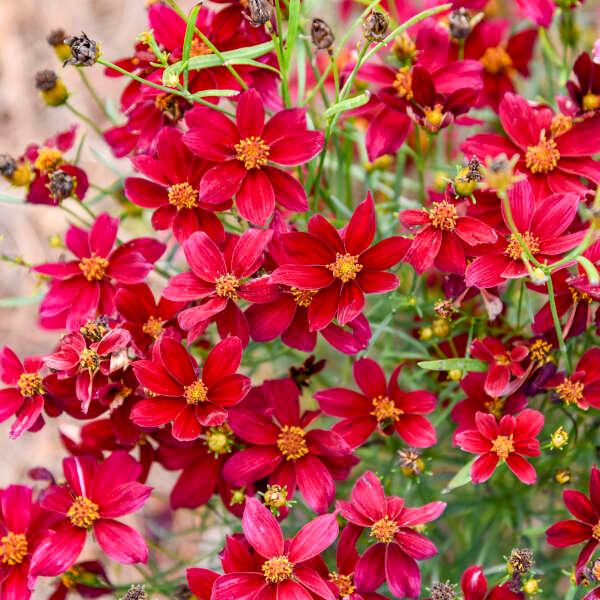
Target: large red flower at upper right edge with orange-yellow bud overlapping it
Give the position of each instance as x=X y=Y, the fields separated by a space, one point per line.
x=553 y=149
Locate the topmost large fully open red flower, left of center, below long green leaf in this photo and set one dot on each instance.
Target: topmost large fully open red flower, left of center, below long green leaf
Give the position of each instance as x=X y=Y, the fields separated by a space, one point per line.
x=247 y=150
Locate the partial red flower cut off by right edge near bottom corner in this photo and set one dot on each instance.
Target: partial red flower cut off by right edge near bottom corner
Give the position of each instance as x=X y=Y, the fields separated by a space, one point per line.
x=585 y=527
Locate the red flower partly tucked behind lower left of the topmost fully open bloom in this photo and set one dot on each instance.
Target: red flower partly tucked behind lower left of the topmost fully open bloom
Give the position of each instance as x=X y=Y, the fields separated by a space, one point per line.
x=175 y=175
